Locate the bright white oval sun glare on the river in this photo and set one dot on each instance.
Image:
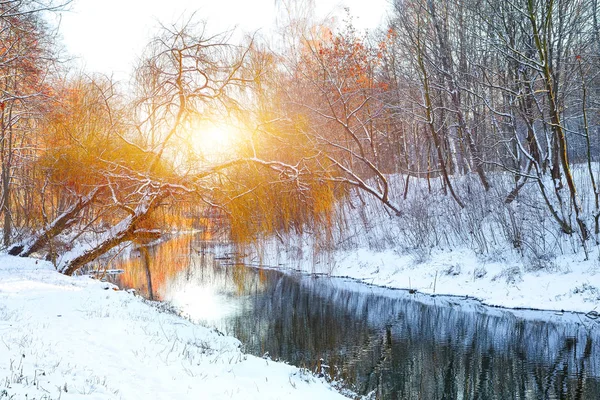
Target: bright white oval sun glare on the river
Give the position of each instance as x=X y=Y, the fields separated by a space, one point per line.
x=202 y=303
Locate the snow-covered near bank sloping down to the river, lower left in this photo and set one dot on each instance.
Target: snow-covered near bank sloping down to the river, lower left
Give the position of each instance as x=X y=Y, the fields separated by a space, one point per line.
x=74 y=337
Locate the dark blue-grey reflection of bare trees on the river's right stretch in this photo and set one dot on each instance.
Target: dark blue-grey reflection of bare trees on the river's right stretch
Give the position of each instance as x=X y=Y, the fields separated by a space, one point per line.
x=404 y=349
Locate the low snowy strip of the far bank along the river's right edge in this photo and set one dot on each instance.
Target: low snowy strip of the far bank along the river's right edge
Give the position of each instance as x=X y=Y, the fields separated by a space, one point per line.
x=567 y=283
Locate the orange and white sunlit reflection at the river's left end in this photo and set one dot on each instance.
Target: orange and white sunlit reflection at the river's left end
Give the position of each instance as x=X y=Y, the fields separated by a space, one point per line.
x=193 y=281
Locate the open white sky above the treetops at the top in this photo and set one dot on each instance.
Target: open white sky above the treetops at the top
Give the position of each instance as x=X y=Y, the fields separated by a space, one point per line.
x=108 y=35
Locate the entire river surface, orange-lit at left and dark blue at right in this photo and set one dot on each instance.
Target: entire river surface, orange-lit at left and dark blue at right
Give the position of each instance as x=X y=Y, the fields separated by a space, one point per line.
x=389 y=343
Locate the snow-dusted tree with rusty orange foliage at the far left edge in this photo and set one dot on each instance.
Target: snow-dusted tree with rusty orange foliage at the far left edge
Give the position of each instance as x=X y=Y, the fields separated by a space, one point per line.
x=25 y=55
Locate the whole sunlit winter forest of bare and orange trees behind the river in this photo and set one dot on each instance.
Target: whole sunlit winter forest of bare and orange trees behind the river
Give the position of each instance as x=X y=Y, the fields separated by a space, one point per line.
x=459 y=123
